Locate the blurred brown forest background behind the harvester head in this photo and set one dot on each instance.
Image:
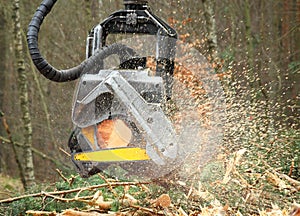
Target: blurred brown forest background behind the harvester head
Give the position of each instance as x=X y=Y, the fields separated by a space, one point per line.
x=253 y=44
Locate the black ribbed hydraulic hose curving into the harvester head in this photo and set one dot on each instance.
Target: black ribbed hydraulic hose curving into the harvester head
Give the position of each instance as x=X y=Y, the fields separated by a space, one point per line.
x=90 y=65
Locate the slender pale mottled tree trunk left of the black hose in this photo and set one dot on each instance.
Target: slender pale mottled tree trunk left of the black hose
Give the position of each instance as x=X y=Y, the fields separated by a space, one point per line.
x=23 y=91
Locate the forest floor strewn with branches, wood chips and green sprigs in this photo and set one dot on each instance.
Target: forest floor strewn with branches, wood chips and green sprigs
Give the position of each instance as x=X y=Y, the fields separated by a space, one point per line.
x=215 y=190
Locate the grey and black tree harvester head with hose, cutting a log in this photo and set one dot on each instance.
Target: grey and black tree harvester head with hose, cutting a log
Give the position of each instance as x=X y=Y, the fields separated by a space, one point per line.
x=119 y=117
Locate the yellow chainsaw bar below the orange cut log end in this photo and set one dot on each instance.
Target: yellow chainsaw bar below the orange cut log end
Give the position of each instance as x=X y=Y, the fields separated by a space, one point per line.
x=113 y=155
